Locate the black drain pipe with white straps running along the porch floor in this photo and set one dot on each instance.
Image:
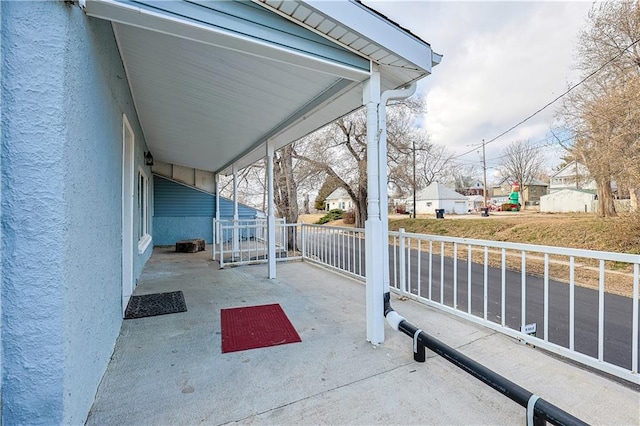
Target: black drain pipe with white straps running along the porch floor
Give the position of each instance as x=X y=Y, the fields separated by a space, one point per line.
x=543 y=411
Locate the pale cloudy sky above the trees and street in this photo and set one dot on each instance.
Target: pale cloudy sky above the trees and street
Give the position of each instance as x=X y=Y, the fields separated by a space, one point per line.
x=502 y=62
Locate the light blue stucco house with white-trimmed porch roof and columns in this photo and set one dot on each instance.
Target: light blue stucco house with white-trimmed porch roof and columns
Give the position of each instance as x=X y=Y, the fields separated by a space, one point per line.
x=93 y=91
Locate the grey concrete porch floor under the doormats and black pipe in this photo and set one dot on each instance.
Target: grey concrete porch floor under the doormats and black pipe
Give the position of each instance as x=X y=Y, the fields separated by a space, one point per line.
x=169 y=369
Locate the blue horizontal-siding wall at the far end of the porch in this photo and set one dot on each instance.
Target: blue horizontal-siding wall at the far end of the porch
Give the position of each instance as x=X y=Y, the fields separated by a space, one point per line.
x=182 y=212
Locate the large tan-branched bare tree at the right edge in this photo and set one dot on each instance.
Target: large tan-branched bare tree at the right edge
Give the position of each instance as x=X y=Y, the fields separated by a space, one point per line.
x=604 y=112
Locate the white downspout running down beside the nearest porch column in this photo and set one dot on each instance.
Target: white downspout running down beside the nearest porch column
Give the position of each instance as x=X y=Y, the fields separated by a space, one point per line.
x=382 y=172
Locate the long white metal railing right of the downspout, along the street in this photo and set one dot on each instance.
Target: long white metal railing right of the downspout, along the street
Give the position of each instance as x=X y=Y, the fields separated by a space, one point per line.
x=514 y=288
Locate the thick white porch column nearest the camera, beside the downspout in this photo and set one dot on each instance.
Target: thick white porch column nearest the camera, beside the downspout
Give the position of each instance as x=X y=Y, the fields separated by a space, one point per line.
x=374 y=241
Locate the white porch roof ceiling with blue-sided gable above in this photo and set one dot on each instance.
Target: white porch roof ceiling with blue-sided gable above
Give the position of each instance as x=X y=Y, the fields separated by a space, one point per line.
x=212 y=81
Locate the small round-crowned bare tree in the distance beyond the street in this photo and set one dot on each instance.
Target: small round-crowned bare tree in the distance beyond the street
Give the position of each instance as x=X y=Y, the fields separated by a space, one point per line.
x=523 y=162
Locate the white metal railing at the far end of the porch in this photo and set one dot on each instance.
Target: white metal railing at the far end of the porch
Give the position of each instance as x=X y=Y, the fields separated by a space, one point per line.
x=244 y=241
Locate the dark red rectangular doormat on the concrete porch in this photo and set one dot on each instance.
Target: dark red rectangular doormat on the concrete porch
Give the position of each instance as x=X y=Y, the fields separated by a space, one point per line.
x=256 y=327
